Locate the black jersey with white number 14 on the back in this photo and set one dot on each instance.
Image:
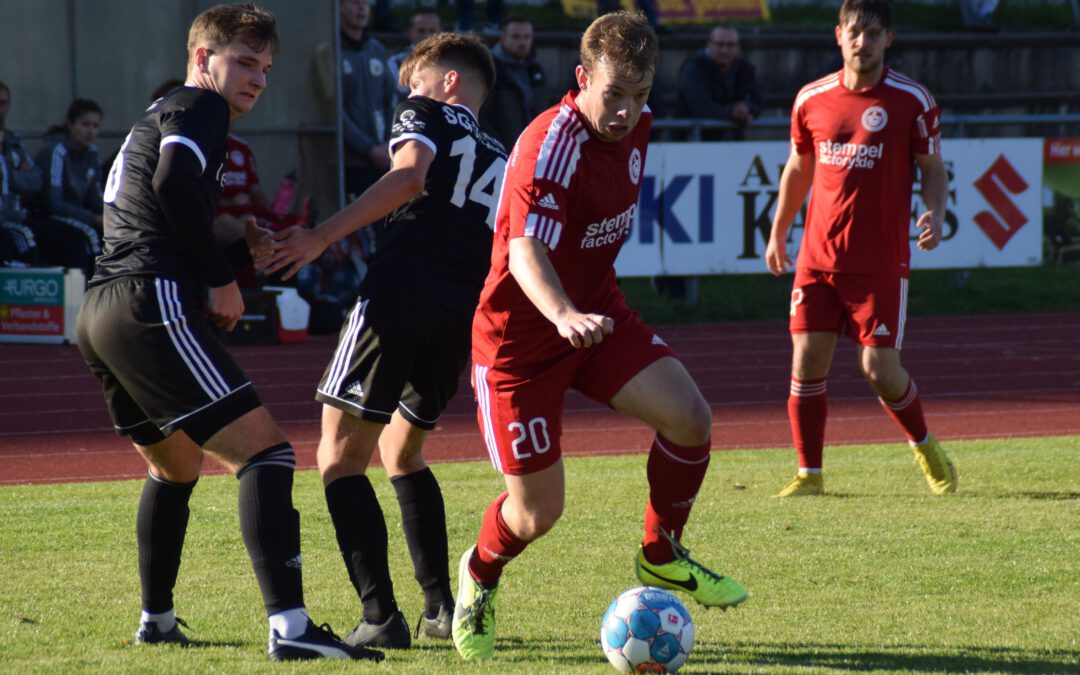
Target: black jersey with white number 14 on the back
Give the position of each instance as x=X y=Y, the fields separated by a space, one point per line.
x=439 y=246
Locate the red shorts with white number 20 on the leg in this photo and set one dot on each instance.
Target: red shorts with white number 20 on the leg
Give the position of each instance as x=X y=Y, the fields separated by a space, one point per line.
x=521 y=415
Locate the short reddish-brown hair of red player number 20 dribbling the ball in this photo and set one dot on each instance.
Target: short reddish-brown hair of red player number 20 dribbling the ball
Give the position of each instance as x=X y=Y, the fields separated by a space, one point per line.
x=623 y=39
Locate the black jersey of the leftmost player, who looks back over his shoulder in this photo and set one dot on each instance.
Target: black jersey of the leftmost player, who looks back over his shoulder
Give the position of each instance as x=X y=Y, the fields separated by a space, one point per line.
x=140 y=240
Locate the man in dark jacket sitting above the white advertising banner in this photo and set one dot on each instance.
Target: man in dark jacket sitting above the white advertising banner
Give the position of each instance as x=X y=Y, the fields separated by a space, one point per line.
x=715 y=84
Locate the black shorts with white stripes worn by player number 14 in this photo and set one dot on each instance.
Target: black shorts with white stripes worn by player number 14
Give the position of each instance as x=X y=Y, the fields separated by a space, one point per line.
x=398 y=354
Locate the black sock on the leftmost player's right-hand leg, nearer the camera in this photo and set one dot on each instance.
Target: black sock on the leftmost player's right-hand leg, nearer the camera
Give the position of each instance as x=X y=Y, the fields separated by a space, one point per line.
x=272 y=526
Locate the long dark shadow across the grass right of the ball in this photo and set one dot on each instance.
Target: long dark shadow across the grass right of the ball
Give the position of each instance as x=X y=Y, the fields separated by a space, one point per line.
x=712 y=658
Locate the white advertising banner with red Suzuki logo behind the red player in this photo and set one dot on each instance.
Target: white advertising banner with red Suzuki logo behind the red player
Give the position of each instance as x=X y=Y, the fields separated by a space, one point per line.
x=707 y=208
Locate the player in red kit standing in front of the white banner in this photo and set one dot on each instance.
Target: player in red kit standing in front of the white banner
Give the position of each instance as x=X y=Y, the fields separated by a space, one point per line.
x=857 y=137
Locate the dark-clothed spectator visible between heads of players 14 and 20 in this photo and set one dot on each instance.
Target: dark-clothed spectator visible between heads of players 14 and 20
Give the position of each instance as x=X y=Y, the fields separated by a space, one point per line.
x=516 y=99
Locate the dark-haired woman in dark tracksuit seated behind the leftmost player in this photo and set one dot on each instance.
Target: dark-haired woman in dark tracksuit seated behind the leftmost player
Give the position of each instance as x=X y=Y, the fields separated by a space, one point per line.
x=70 y=234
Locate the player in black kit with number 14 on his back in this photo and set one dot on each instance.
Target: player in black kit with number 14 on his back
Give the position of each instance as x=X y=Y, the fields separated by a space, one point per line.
x=407 y=342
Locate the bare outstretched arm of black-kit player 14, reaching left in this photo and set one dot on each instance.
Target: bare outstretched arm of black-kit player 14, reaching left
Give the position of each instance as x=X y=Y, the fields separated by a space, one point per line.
x=298 y=247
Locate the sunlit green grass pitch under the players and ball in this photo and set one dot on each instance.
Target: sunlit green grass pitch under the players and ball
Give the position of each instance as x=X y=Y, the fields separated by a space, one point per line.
x=877 y=576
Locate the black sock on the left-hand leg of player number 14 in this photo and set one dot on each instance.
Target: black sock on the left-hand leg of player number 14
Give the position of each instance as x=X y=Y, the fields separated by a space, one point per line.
x=362 y=539
